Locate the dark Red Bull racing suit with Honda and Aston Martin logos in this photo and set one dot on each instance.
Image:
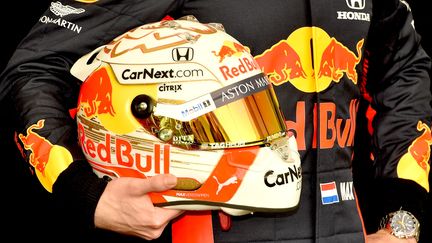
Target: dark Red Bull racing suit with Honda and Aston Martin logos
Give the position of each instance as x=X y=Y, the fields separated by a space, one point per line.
x=323 y=58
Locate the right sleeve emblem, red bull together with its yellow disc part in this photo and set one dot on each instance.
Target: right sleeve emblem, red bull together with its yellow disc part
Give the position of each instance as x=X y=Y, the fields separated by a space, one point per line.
x=414 y=165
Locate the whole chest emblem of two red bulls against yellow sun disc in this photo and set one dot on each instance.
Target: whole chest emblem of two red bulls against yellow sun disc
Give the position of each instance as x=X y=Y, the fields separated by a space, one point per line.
x=310 y=60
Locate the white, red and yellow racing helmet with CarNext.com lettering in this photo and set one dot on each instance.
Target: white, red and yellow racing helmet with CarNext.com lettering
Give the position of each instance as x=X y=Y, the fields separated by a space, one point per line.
x=186 y=98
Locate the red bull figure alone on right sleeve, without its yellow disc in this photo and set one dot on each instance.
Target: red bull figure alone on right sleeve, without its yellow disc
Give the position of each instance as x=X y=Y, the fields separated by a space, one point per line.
x=420 y=147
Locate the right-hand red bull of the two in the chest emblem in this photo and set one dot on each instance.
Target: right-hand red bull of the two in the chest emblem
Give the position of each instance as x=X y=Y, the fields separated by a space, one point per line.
x=338 y=59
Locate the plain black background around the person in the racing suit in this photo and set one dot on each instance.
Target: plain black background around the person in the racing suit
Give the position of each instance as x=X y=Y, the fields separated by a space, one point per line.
x=27 y=210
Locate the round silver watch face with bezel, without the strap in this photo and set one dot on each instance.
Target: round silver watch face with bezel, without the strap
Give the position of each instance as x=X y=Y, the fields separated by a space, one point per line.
x=403 y=224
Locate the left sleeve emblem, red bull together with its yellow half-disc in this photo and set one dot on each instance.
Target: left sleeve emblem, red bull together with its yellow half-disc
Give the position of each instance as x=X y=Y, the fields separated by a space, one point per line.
x=48 y=160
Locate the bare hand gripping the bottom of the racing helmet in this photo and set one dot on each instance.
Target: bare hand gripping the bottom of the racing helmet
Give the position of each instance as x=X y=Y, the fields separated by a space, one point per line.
x=125 y=207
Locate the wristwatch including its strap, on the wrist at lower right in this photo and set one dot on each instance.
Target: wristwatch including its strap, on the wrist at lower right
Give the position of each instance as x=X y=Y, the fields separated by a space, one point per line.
x=402 y=224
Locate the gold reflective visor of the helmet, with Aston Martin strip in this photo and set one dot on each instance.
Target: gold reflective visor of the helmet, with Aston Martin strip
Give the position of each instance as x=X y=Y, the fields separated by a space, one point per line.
x=242 y=114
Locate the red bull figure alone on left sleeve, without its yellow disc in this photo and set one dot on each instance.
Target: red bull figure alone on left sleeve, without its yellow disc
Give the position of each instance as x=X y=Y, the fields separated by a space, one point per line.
x=40 y=147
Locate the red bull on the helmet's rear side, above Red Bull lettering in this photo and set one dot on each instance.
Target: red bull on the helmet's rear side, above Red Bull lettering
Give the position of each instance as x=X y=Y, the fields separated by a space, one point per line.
x=96 y=97
